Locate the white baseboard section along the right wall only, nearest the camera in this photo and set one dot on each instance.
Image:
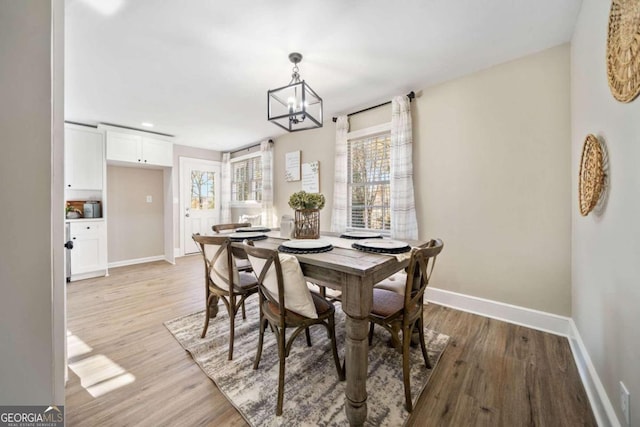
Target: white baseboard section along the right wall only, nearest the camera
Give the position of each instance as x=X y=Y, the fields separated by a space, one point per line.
x=600 y=403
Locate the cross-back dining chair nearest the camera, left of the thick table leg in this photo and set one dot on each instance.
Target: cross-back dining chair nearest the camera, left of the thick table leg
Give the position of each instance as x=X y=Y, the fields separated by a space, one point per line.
x=286 y=302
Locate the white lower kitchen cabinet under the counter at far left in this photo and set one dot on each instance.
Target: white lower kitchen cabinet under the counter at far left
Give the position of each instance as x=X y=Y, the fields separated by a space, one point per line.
x=89 y=253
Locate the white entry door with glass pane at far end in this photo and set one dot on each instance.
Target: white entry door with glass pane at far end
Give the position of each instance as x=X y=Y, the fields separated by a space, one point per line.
x=200 y=201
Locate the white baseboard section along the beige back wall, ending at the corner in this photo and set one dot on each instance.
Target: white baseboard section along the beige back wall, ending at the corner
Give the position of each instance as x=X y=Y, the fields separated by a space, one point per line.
x=540 y=320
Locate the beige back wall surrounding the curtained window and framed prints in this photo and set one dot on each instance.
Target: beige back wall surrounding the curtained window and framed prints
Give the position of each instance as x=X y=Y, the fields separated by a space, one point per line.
x=492 y=178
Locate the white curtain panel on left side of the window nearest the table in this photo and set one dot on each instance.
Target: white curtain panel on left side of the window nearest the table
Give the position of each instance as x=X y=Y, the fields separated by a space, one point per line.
x=339 y=213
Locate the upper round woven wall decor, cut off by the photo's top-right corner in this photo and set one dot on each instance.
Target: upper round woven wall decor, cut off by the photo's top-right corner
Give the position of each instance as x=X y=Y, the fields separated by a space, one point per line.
x=623 y=49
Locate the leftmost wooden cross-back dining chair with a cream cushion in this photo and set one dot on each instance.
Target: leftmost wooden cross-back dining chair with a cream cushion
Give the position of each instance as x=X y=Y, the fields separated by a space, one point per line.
x=224 y=281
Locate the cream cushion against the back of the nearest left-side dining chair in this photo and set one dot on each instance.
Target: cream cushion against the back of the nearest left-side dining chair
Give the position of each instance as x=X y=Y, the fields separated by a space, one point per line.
x=297 y=295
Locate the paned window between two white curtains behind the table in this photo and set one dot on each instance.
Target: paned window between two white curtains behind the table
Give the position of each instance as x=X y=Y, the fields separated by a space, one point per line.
x=368 y=183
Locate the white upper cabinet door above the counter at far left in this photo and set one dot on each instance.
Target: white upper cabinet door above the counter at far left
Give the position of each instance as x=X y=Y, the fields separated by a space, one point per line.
x=84 y=159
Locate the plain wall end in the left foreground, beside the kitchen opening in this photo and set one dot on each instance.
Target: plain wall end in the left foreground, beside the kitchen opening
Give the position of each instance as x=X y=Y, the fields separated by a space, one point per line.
x=28 y=108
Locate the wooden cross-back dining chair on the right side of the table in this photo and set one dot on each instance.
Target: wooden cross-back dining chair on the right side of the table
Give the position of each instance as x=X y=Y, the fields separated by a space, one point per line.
x=402 y=312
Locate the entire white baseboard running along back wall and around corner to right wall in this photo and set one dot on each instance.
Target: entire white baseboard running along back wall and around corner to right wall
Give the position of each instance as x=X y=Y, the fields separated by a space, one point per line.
x=542 y=321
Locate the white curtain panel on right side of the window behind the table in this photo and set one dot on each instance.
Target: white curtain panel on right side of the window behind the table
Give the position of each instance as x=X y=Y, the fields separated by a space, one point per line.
x=404 y=224
